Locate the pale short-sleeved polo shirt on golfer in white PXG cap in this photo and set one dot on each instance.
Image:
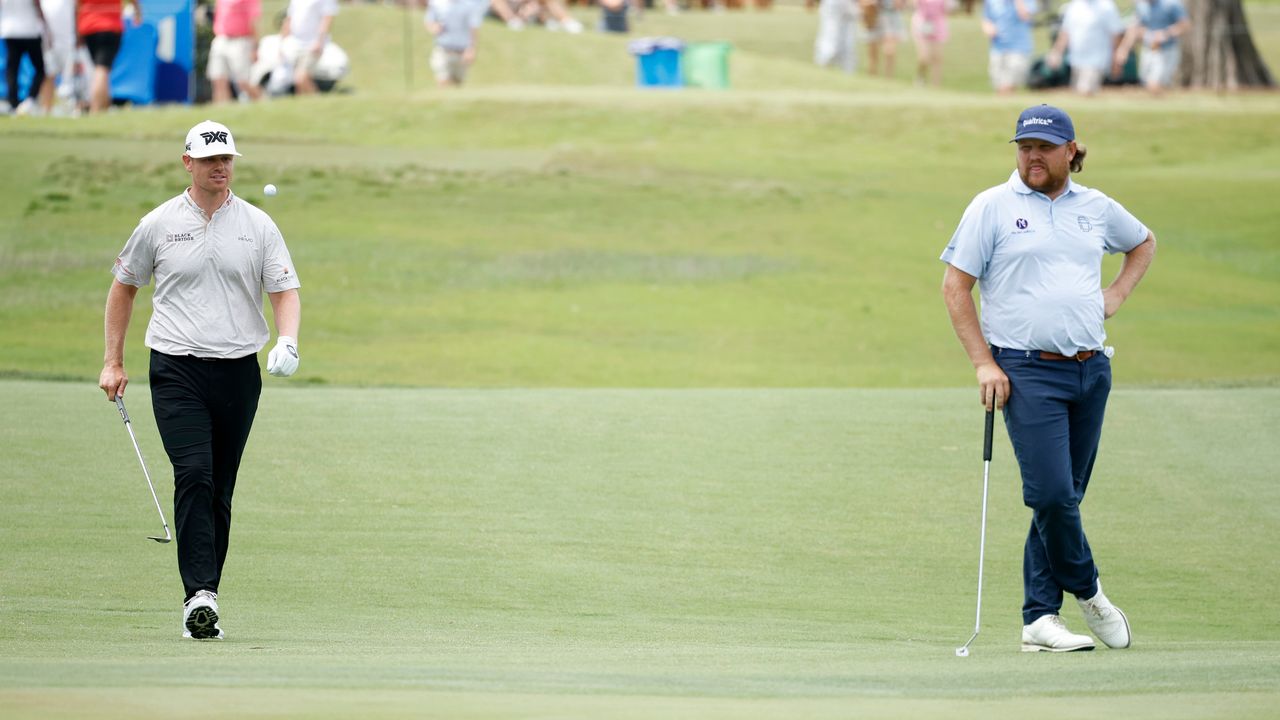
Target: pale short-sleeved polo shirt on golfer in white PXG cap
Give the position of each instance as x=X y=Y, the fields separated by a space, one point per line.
x=211 y=276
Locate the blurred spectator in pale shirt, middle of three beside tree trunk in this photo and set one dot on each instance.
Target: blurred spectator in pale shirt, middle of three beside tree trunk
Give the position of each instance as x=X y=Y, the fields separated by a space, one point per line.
x=1090 y=37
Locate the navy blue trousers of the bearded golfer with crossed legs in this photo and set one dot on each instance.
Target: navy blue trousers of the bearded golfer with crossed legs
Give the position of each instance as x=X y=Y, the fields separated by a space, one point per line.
x=1054 y=418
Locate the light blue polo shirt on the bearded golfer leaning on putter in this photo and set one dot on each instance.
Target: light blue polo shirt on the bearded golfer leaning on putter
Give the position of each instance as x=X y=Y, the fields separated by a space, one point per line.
x=1039 y=263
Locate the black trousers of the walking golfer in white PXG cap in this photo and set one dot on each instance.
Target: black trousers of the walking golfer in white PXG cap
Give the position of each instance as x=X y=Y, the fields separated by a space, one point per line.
x=204 y=412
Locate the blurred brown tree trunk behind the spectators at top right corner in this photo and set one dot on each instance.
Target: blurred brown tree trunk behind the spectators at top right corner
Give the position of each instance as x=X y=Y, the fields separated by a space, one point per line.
x=1219 y=52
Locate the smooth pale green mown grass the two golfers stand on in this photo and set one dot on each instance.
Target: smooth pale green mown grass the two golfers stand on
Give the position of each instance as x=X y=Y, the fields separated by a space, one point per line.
x=632 y=554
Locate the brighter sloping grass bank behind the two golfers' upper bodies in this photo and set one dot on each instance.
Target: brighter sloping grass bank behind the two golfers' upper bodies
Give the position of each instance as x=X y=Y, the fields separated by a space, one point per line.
x=538 y=230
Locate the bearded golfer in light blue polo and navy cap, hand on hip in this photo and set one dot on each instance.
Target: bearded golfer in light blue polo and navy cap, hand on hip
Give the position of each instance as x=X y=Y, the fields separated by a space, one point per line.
x=1035 y=247
